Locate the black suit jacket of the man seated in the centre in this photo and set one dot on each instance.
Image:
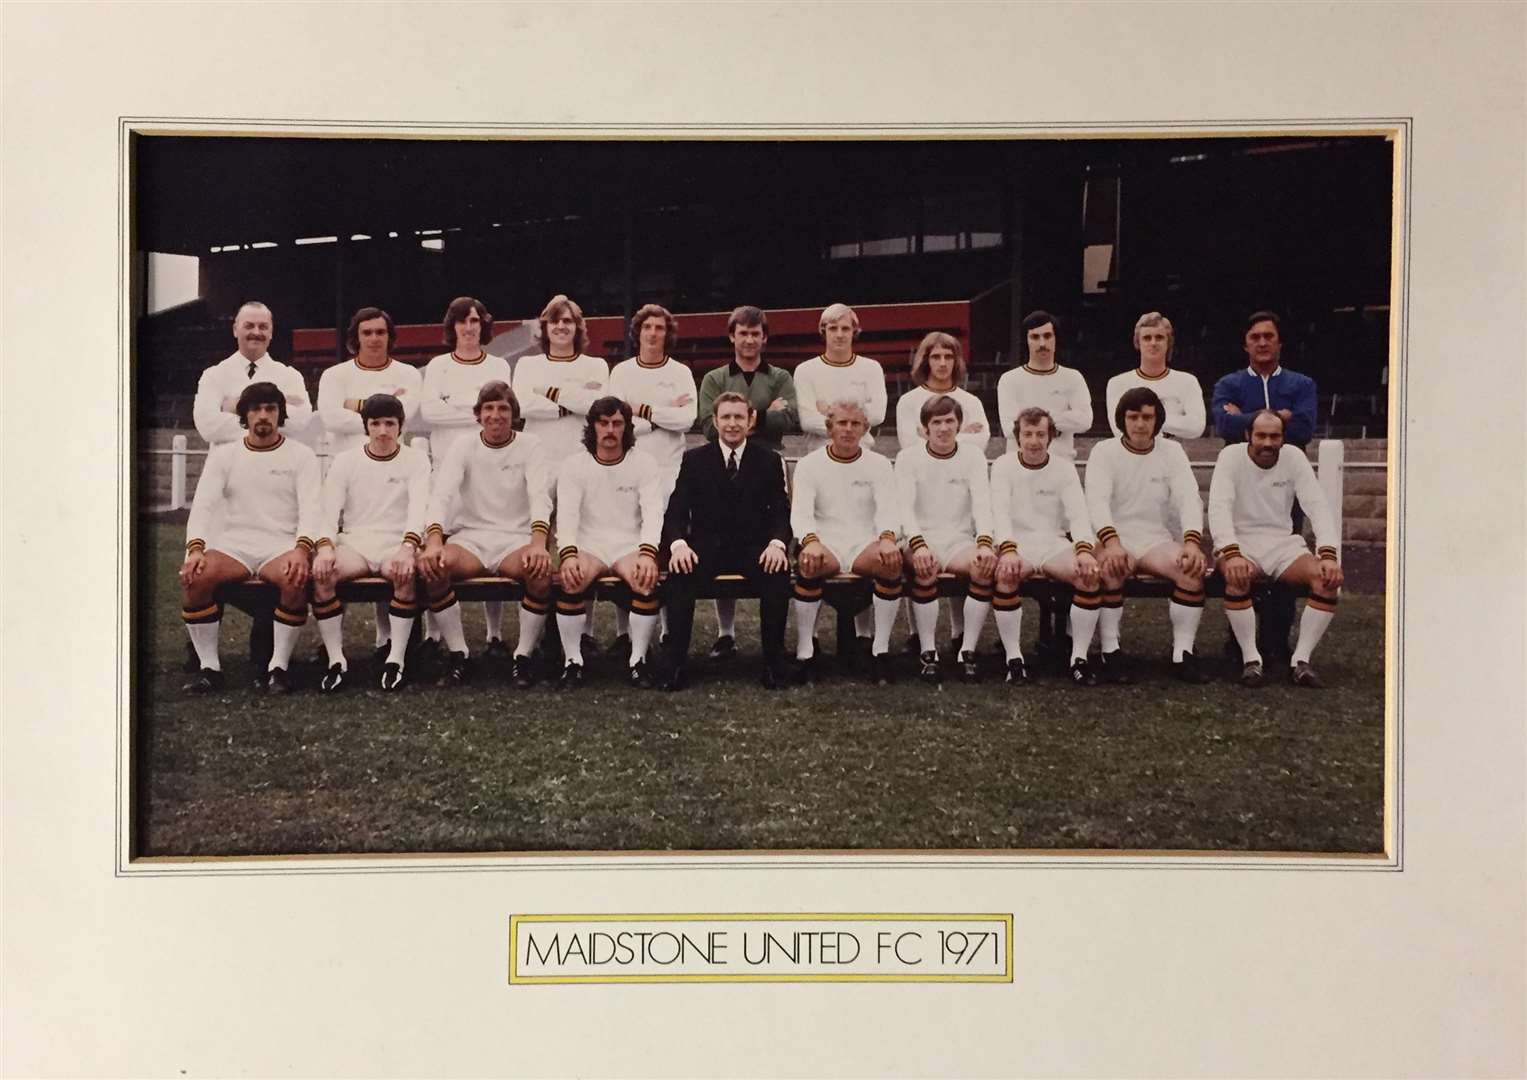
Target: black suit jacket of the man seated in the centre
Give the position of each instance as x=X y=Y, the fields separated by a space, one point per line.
x=706 y=511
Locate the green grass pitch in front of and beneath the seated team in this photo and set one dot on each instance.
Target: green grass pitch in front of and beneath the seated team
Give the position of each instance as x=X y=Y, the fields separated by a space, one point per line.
x=729 y=766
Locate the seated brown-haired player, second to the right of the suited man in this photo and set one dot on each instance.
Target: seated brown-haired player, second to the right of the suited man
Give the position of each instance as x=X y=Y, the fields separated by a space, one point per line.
x=946 y=517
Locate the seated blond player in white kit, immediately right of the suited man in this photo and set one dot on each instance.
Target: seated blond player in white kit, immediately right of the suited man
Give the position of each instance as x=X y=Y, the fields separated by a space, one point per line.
x=844 y=509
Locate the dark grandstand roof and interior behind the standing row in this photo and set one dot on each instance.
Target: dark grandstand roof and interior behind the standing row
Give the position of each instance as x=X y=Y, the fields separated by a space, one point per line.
x=1204 y=230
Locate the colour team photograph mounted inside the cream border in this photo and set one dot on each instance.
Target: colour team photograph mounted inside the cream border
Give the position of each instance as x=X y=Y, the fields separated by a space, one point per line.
x=928 y=638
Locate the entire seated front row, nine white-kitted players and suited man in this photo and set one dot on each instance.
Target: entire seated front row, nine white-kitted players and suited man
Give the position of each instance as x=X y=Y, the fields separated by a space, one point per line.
x=728 y=517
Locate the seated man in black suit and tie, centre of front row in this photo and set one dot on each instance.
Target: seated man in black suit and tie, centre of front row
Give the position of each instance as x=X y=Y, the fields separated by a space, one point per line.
x=729 y=514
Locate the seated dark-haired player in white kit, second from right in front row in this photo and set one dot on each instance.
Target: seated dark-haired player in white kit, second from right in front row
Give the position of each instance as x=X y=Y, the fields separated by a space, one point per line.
x=1138 y=487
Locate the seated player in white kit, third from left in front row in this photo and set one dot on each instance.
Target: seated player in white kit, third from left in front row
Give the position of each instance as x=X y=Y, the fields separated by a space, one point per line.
x=499 y=483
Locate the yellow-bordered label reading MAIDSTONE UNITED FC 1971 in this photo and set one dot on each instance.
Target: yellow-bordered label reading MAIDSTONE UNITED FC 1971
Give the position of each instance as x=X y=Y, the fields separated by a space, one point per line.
x=761 y=948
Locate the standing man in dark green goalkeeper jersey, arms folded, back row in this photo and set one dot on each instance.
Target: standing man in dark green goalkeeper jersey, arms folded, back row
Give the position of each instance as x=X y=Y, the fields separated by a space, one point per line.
x=770 y=393
